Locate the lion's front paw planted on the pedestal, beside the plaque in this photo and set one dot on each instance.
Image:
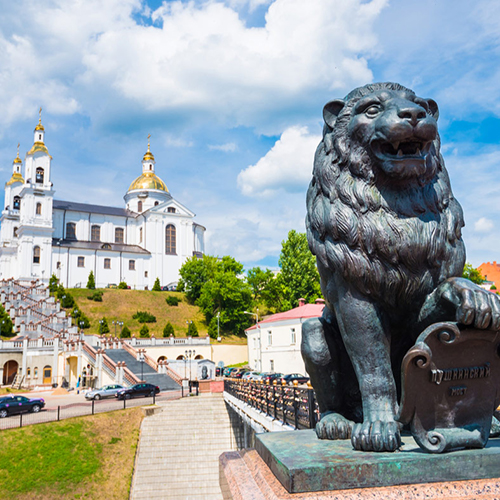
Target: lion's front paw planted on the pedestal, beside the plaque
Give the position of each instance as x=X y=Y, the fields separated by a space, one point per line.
x=376 y=436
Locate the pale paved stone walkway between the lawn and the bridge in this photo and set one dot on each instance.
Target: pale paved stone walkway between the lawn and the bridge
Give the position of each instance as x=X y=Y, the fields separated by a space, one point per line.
x=179 y=449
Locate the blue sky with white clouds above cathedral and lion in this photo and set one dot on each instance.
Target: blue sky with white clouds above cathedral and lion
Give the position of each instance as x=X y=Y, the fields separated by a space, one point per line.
x=232 y=93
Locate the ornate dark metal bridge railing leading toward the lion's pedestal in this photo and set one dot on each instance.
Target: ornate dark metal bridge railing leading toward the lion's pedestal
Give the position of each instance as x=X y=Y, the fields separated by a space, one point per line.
x=293 y=405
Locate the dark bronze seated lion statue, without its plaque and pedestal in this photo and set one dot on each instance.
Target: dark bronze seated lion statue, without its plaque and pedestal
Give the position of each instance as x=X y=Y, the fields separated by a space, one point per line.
x=386 y=231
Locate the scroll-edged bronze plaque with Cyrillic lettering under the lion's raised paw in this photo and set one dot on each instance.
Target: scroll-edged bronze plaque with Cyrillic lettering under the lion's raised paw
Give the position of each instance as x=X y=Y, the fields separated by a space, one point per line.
x=451 y=387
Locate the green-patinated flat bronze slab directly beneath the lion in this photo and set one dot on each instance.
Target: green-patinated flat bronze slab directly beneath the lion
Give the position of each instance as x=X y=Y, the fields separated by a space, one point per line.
x=302 y=463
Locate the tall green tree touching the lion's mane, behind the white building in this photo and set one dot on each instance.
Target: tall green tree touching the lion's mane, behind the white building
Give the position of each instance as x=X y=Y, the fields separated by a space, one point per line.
x=299 y=276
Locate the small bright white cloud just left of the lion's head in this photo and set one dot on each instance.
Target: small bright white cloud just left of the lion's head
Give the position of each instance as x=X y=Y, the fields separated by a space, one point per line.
x=287 y=165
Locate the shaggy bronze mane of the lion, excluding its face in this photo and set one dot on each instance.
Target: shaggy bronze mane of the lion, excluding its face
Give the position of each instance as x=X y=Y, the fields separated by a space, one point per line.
x=392 y=240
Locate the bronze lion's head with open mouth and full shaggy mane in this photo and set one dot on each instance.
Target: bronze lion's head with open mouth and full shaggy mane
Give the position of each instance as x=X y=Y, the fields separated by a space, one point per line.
x=380 y=206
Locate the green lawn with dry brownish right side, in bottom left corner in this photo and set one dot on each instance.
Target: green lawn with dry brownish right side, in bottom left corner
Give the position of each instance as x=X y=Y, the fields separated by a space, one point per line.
x=87 y=457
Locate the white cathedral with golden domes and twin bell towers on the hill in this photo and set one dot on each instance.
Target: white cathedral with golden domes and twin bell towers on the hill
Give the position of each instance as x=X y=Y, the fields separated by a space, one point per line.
x=39 y=236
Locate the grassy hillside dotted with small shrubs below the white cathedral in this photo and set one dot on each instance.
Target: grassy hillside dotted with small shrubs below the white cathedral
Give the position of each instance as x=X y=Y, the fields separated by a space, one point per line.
x=120 y=305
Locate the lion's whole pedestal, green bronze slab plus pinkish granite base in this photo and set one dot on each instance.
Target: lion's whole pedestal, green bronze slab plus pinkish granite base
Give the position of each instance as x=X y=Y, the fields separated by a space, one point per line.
x=301 y=467
